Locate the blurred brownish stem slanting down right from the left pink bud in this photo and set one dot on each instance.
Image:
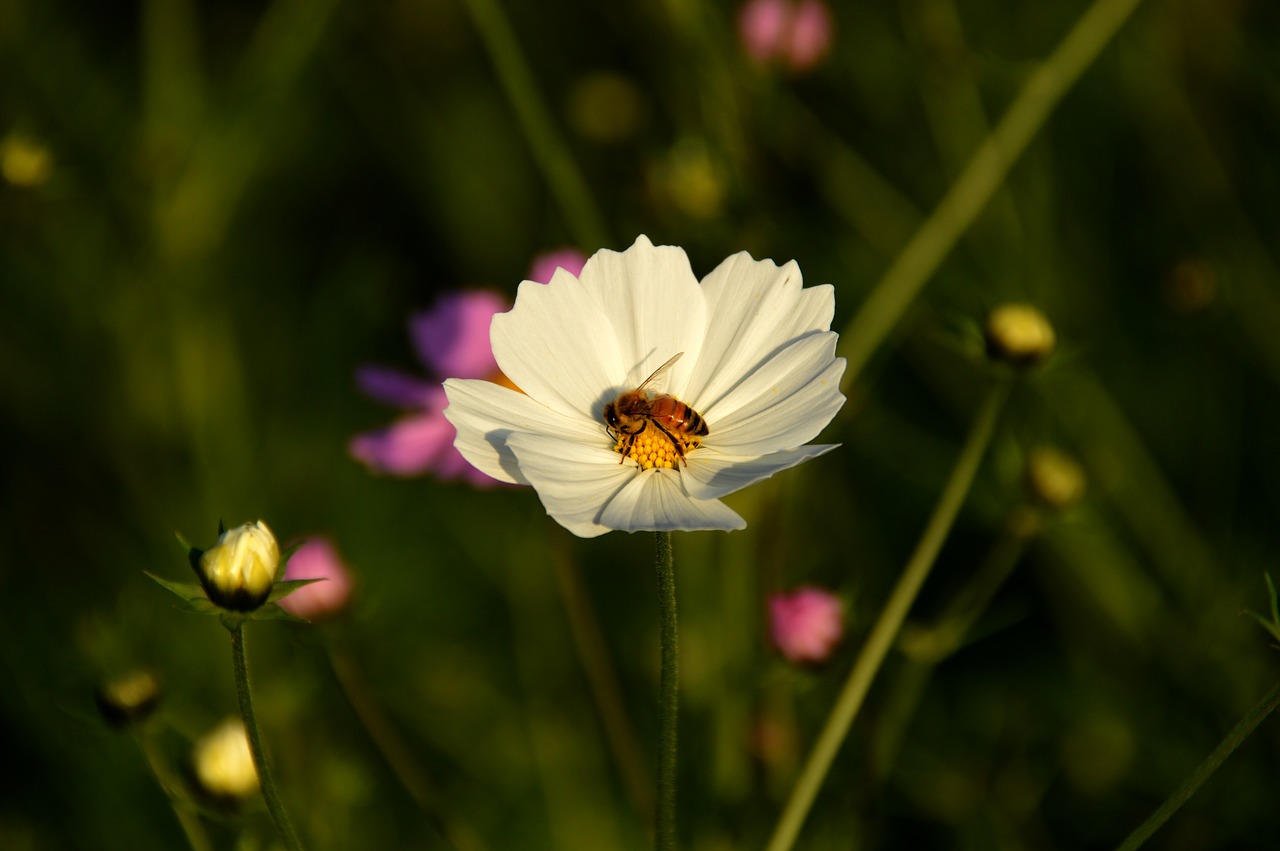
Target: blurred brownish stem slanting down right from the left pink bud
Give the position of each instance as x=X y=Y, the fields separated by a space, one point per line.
x=394 y=748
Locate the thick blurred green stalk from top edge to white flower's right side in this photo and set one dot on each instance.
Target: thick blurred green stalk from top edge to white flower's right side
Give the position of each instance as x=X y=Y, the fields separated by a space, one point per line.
x=982 y=176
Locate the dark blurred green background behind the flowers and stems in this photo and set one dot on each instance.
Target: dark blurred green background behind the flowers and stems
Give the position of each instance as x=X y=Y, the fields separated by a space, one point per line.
x=220 y=211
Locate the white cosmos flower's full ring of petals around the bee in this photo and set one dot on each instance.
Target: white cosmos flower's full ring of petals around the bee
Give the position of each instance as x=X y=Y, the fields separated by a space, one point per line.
x=760 y=365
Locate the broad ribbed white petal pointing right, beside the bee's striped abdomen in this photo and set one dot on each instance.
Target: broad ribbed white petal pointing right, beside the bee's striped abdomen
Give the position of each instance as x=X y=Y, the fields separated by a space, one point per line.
x=784 y=404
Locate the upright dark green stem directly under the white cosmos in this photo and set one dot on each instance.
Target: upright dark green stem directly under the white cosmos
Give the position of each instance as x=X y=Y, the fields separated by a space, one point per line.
x=665 y=836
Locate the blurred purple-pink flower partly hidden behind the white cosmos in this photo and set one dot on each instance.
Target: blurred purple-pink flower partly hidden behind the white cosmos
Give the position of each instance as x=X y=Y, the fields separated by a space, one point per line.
x=452 y=341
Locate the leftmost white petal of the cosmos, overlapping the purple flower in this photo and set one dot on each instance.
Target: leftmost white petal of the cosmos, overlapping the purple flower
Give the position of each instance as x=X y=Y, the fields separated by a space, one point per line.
x=486 y=415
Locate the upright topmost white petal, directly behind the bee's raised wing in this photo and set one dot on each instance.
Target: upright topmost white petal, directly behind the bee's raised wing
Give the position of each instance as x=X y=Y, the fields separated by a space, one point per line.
x=655 y=309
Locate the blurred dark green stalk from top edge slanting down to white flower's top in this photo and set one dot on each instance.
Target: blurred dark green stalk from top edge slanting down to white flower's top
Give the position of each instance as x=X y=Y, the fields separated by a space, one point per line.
x=554 y=158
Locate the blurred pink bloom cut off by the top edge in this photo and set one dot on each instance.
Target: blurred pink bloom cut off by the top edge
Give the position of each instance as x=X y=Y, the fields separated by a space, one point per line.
x=797 y=35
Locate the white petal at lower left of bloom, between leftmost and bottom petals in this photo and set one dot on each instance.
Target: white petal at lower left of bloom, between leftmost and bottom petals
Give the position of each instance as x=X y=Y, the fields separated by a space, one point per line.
x=574 y=481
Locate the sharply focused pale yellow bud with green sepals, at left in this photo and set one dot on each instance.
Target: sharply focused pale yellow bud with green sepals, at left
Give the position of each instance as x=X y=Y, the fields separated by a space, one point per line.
x=239 y=571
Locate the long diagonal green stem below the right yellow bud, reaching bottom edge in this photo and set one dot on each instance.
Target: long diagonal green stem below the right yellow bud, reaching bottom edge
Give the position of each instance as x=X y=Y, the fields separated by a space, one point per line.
x=886 y=629
